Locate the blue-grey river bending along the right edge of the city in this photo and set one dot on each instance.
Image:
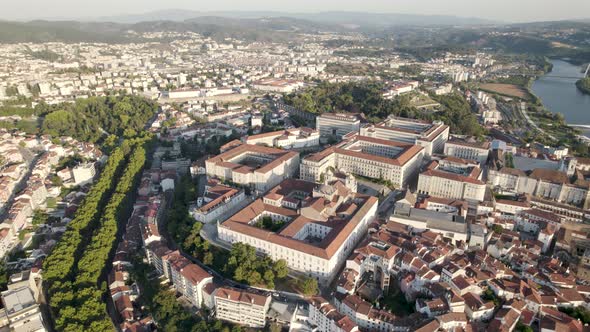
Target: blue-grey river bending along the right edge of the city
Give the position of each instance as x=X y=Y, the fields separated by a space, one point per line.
x=560 y=95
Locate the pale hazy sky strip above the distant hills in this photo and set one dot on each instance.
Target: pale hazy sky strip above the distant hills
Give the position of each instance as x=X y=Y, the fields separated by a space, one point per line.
x=504 y=10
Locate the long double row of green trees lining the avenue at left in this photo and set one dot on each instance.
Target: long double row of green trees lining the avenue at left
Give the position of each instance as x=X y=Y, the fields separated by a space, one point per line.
x=73 y=269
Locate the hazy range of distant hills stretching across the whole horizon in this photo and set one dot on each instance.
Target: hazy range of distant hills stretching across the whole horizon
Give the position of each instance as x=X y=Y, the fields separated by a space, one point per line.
x=400 y=31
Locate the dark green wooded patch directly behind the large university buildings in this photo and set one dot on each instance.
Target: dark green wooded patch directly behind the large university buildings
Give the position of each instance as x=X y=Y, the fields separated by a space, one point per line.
x=367 y=98
